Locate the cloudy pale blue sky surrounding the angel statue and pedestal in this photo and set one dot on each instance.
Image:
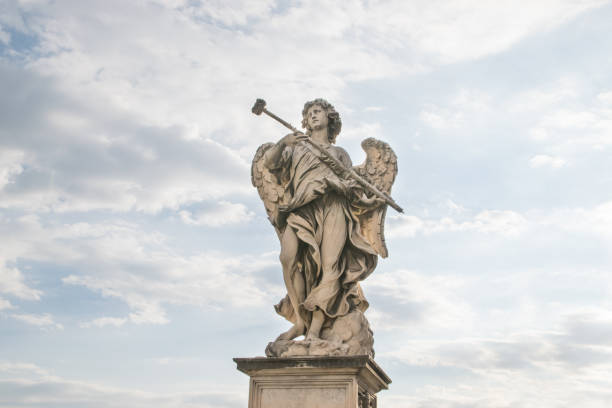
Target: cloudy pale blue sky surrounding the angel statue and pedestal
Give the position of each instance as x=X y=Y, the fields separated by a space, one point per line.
x=136 y=259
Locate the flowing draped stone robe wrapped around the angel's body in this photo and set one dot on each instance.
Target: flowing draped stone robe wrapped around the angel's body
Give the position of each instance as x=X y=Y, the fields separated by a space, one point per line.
x=317 y=204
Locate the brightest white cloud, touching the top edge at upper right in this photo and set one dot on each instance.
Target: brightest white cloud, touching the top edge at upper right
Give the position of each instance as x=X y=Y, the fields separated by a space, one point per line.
x=462 y=30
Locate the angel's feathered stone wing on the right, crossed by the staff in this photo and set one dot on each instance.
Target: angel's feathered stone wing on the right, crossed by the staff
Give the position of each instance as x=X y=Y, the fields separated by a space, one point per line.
x=380 y=169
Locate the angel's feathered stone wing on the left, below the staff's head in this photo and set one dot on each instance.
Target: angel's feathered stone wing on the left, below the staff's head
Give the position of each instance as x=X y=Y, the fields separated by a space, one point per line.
x=270 y=188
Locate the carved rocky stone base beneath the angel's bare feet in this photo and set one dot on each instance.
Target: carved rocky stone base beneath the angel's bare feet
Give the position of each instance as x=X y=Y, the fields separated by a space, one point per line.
x=348 y=335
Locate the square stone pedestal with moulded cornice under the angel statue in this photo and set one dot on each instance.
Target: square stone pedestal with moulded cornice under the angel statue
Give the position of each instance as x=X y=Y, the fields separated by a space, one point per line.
x=313 y=382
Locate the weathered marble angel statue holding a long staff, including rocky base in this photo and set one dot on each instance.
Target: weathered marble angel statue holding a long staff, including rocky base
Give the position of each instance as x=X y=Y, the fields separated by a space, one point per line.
x=330 y=227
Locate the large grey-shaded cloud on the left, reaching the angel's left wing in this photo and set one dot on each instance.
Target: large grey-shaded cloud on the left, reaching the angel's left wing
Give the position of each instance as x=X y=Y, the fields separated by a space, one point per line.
x=138 y=173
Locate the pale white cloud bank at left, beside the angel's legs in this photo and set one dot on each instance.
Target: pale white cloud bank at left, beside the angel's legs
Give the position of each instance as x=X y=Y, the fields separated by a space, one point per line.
x=123 y=261
